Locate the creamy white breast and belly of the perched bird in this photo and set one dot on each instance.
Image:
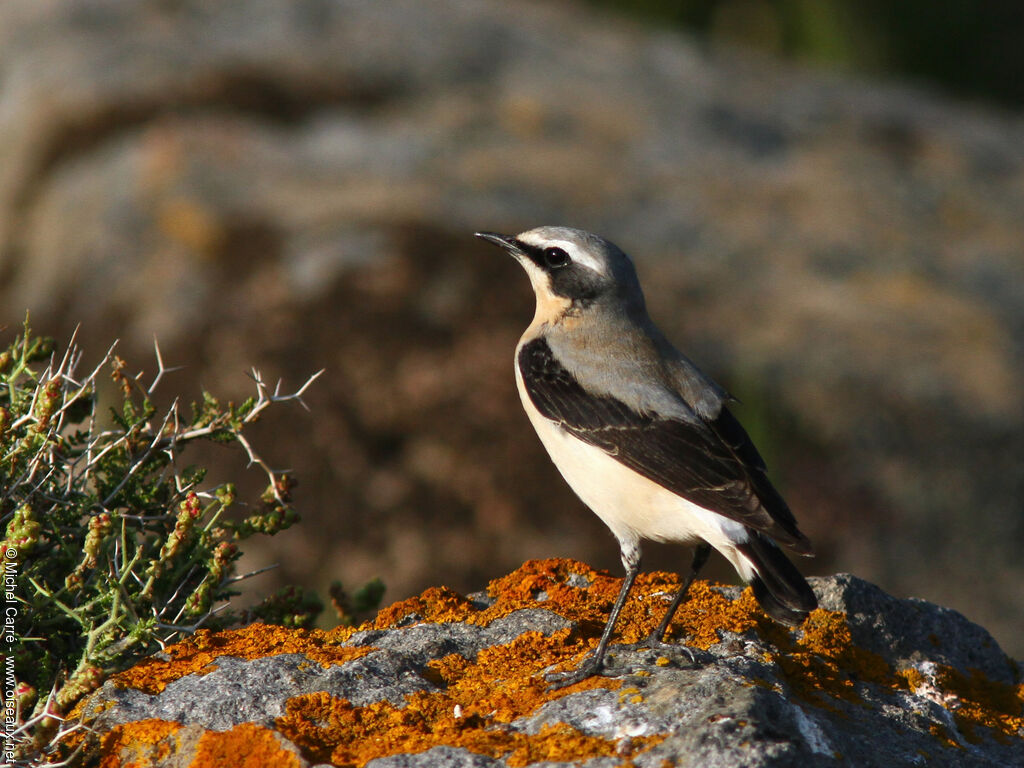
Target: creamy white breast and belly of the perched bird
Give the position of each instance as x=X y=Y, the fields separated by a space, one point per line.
x=631 y=505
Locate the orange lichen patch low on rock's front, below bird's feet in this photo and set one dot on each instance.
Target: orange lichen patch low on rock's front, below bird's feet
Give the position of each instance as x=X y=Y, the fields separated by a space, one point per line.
x=478 y=702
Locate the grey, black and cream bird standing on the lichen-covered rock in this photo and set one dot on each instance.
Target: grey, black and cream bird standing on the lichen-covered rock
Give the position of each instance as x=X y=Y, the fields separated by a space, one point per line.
x=642 y=435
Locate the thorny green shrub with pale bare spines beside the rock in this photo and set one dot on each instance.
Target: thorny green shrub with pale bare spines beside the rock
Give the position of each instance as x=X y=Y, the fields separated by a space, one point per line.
x=113 y=547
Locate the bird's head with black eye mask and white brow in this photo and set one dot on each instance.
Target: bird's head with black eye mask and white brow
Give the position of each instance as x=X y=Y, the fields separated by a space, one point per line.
x=573 y=271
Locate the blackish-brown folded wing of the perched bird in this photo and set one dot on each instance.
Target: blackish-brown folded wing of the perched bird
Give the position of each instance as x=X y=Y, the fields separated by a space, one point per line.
x=712 y=464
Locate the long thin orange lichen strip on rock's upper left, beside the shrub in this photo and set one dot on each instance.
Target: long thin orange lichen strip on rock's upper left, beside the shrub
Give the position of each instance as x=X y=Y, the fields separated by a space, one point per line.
x=198 y=654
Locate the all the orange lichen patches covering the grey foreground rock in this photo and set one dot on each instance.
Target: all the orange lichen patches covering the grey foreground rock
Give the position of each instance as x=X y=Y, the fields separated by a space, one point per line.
x=473 y=702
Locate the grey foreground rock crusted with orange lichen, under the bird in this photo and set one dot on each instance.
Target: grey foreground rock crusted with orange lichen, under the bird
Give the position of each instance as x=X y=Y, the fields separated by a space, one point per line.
x=447 y=680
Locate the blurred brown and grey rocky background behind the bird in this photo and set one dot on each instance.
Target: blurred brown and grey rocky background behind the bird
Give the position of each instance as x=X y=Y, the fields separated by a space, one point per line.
x=294 y=187
